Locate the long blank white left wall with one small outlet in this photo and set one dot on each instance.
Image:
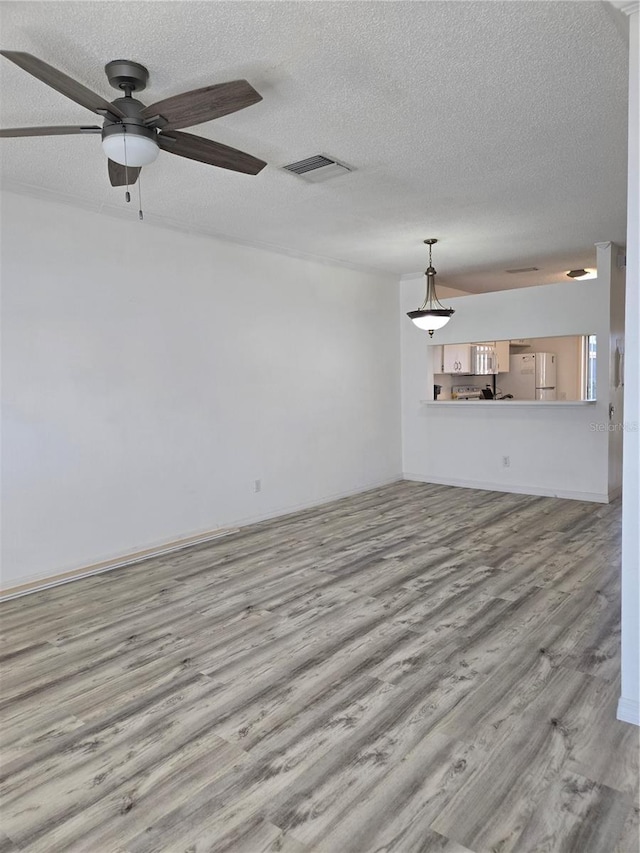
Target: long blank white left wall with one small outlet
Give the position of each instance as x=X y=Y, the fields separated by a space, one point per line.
x=151 y=376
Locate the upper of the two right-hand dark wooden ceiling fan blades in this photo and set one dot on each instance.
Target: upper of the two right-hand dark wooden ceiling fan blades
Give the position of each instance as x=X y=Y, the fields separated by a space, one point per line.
x=205 y=104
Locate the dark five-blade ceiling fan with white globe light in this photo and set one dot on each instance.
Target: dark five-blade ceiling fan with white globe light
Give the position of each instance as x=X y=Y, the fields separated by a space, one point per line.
x=132 y=133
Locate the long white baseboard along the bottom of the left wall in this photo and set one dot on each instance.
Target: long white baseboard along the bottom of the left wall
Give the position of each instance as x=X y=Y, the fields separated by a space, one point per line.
x=35 y=584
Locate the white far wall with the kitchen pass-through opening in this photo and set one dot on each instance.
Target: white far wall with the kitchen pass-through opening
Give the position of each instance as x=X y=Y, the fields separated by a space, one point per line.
x=553 y=450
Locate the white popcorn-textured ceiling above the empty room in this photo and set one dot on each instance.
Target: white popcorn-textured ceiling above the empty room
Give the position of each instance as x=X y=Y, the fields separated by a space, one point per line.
x=498 y=127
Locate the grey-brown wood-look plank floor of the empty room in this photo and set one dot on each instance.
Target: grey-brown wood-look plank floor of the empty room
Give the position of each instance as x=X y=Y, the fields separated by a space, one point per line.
x=418 y=668
